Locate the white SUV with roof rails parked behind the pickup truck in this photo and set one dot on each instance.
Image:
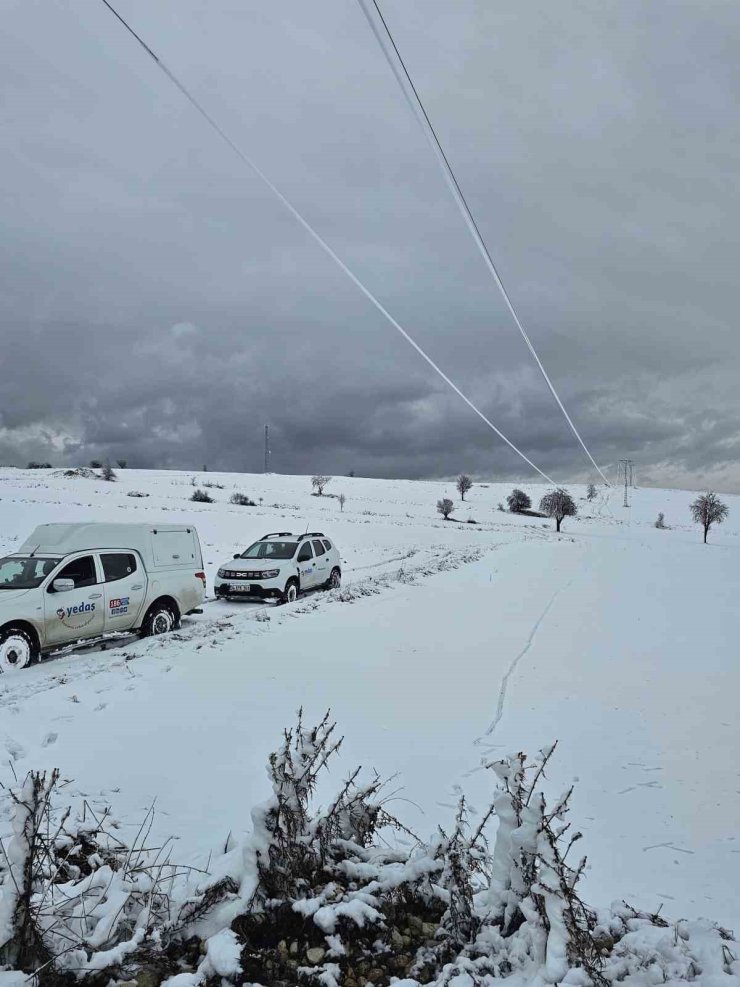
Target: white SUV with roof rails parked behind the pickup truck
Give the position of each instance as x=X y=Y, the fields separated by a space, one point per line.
x=280 y=566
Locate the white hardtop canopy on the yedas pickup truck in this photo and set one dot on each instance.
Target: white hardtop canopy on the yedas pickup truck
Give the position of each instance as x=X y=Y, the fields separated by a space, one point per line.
x=160 y=545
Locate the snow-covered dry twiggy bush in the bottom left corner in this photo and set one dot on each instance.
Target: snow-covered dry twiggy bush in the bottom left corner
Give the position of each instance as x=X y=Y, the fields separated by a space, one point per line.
x=76 y=901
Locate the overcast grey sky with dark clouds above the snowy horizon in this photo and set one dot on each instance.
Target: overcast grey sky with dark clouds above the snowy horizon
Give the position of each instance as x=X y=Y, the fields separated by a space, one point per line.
x=158 y=305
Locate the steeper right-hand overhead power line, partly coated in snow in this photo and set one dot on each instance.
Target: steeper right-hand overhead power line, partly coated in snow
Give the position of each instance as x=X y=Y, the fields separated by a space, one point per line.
x=398 y=66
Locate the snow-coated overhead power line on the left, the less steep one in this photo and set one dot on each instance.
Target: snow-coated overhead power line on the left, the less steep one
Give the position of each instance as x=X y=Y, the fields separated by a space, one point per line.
x=318 y=238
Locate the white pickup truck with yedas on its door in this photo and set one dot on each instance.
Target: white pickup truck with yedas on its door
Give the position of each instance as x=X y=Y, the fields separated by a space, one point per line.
x=69 y=583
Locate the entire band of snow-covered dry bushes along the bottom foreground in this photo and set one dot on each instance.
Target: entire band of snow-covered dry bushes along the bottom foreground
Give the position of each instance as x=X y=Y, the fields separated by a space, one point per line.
x=334 y=893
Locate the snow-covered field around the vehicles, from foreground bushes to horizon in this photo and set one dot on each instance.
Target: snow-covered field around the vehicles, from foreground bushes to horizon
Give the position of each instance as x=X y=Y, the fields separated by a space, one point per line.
x=617 y=639
